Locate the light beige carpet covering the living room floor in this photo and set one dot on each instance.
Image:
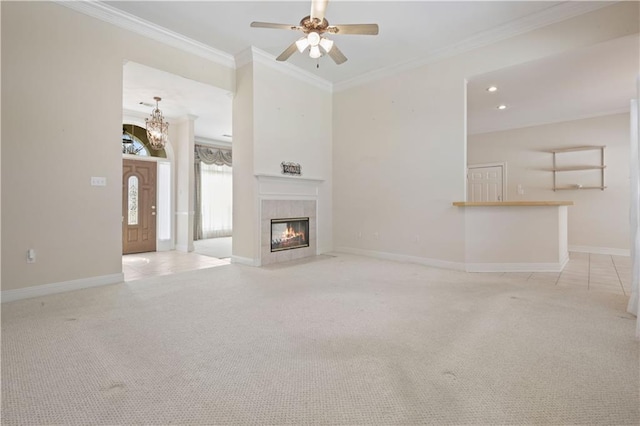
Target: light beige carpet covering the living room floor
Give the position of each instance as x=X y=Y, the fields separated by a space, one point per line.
x=332 y=340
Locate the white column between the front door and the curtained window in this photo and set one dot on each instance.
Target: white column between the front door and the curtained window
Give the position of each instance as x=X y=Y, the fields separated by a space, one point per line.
x=184 y=183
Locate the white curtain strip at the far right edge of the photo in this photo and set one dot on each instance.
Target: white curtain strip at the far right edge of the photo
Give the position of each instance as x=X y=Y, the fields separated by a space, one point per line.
x=634 y=213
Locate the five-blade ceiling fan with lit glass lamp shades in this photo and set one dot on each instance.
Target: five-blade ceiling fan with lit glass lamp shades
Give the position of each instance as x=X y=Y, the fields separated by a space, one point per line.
x=314 y=27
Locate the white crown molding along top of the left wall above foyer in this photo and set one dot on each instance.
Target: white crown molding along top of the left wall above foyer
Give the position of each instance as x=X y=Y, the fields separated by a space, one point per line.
x=106 y=13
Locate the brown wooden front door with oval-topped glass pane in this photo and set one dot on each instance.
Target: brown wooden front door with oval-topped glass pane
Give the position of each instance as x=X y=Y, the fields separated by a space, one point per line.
x=138 y=206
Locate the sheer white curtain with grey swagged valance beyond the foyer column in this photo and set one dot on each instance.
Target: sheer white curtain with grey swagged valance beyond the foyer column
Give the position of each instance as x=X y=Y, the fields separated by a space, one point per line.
x=213 y=193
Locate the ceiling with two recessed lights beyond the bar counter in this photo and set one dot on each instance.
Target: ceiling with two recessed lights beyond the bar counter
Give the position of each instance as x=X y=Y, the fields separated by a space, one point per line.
x=597 y=80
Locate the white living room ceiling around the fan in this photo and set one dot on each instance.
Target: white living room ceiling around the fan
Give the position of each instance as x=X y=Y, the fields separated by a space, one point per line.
x=408 y=30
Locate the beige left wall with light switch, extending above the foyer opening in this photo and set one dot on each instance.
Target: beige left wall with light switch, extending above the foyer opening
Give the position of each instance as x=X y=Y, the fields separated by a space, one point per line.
x=61 y=124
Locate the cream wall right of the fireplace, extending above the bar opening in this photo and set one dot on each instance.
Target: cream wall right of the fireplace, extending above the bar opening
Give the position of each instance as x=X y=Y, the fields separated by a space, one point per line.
x=399 y=143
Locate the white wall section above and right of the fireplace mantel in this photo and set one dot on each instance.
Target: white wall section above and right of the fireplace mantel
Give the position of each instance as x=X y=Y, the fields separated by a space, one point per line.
x=293 y=123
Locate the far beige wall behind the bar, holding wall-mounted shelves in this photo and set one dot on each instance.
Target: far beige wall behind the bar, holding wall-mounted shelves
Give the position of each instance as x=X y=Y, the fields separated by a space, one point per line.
x=599 y=220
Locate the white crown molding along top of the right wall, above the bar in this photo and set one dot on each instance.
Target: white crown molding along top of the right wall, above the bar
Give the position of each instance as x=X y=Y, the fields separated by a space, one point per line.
x=552 y=15
